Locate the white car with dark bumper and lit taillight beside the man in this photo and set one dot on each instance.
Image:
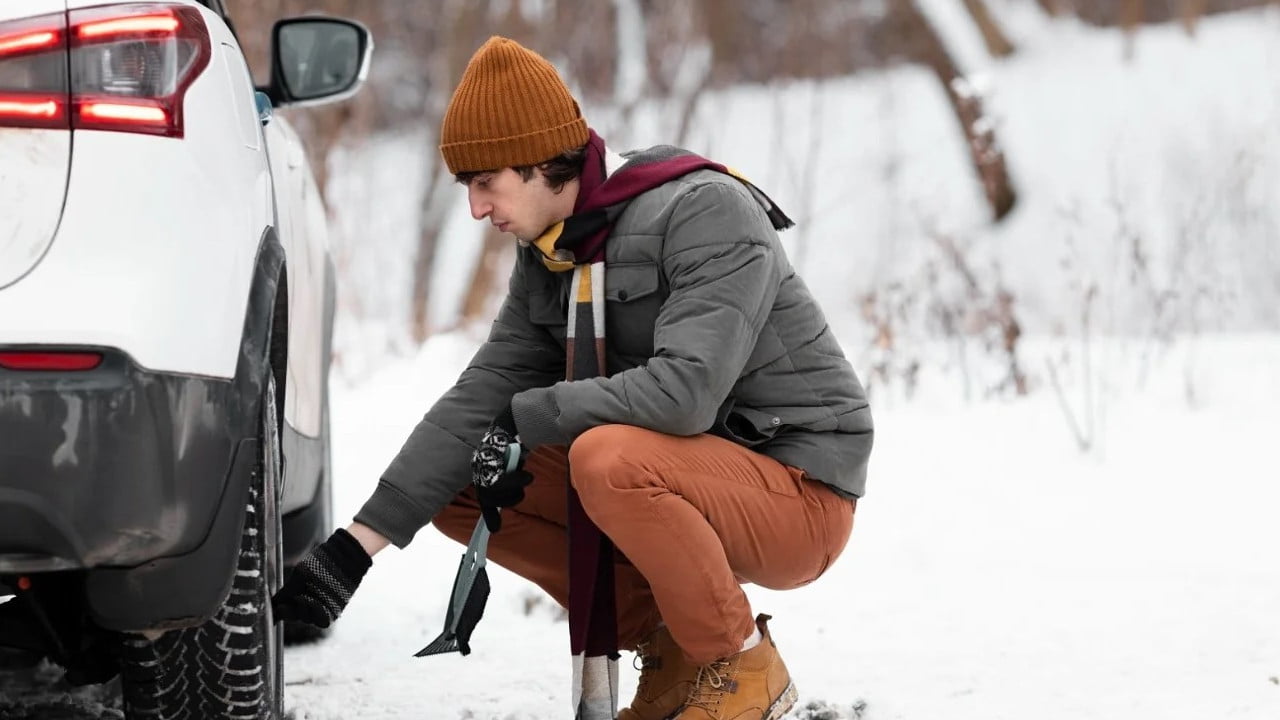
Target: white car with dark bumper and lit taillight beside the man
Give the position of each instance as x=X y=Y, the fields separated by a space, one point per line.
x=166 y=321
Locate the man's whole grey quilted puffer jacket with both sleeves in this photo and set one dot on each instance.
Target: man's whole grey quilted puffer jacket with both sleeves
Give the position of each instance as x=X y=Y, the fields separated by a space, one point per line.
x=708 y=331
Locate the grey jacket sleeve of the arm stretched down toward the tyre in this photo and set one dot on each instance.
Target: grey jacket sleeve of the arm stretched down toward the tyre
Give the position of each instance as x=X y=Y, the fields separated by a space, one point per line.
x=436 y=462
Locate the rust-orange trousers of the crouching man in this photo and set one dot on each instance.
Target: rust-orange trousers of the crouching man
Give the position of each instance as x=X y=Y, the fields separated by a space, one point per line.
x=692 y=518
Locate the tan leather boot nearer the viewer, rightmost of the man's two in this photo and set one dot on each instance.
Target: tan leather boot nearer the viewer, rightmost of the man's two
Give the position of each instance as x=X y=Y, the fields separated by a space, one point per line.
x=753 y=685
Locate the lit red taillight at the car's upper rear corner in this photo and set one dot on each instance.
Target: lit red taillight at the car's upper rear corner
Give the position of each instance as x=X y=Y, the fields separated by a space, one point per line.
x=130 y=69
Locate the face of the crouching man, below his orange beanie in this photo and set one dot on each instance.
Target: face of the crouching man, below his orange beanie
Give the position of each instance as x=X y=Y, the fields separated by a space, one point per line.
x=524 y=209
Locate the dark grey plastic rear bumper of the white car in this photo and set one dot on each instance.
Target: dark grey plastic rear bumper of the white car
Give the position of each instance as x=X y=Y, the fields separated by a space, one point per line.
x=115 y=467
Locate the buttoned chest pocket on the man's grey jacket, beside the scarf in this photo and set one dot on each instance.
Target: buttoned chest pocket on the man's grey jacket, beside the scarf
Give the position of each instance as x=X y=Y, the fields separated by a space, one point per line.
x=633 y=302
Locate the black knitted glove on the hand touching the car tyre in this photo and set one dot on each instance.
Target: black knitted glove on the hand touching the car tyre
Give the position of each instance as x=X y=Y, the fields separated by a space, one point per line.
x=322 y=585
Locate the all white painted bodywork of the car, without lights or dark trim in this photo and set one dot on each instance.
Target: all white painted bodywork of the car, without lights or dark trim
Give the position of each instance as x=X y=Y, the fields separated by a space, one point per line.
x=200 y=230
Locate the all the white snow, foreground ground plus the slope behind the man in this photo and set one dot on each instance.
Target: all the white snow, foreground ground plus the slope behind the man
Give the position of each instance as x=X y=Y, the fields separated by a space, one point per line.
x=996 y=571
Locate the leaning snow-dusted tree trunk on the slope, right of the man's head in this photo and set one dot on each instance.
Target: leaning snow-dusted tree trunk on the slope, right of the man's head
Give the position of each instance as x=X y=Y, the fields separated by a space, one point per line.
x=989 y=160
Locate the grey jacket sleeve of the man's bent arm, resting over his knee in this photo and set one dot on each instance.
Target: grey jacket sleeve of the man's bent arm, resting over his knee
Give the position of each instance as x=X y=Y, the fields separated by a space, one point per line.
x=721 y=261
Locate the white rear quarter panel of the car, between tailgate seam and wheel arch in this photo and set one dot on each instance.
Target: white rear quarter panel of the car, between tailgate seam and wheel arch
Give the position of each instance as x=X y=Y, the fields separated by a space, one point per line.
x=202 y=227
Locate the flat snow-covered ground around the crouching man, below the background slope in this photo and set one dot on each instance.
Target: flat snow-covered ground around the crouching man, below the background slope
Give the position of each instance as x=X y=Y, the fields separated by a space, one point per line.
x=995 y=572
